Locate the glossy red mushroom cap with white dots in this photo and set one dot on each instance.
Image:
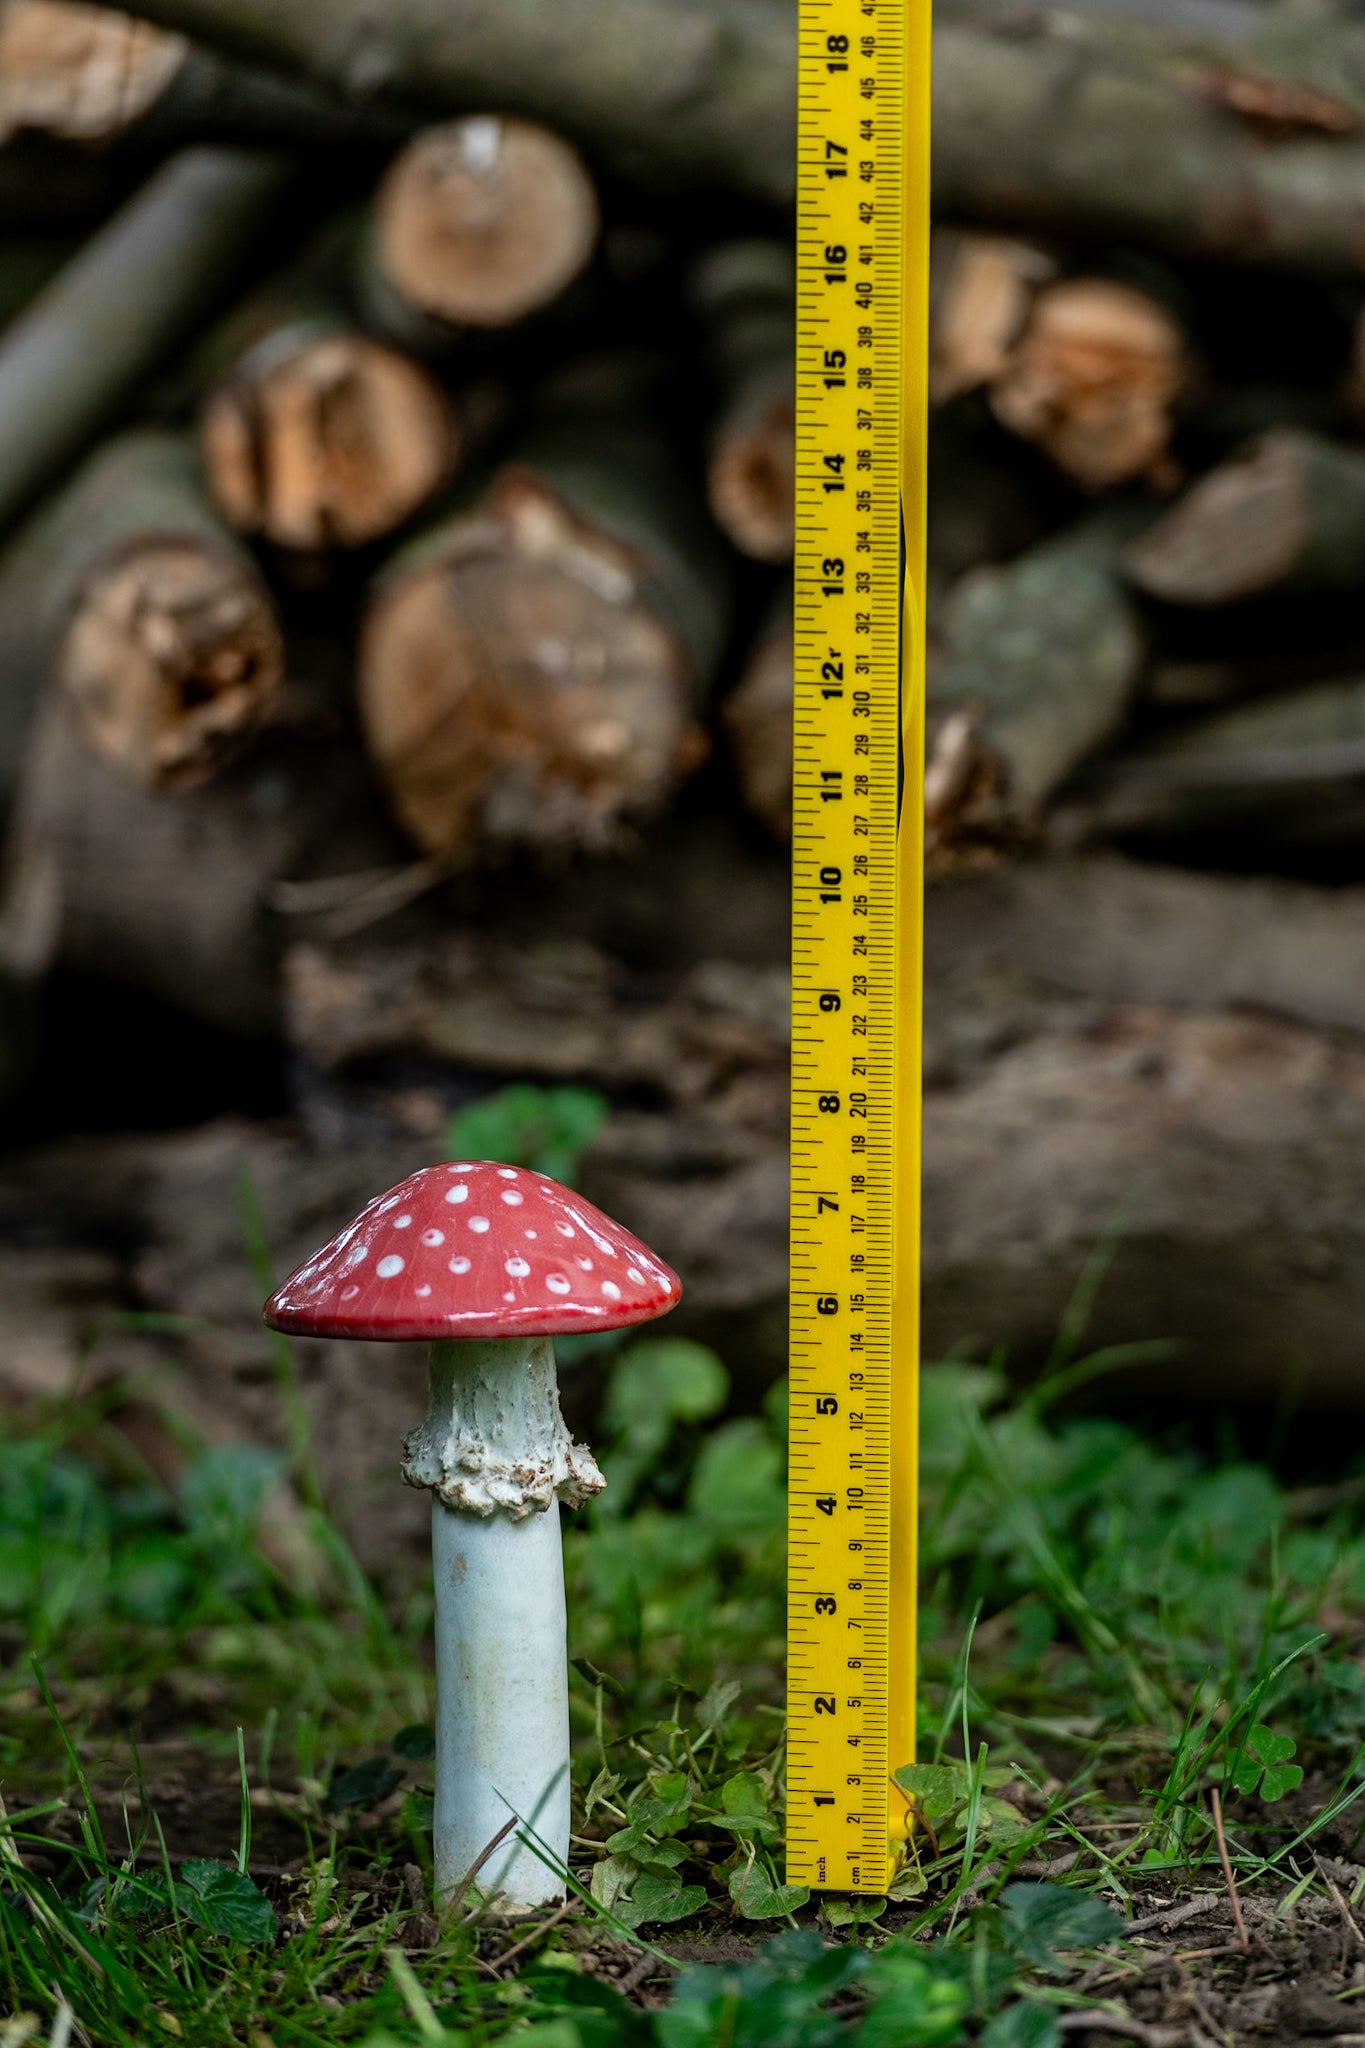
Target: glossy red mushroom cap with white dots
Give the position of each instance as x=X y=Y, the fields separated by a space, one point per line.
x=476 y=1250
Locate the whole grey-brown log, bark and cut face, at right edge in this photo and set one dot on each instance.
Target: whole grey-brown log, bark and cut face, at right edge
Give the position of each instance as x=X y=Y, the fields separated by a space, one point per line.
x=1284 y=515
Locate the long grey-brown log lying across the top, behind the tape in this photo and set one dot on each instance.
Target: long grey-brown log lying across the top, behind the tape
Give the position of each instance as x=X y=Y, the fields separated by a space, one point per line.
x=1088 y=128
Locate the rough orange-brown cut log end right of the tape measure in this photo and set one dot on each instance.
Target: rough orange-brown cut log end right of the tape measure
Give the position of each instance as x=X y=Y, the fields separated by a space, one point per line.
x=1094 y=380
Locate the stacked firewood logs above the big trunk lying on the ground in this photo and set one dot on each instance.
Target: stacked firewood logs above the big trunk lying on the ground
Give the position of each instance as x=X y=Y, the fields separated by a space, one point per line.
x=396 y=456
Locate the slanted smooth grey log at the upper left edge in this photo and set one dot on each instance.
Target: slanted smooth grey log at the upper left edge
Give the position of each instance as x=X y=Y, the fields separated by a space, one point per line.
x=118 y=310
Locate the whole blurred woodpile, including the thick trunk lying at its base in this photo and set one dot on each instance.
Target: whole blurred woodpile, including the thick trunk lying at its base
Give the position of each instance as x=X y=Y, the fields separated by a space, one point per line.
x=396 y=615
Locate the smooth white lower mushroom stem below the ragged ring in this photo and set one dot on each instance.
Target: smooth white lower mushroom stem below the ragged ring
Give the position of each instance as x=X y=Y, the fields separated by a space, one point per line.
x=502 y=1705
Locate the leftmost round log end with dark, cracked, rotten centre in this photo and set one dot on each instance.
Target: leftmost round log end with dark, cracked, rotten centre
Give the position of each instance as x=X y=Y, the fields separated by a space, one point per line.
x=171 y=660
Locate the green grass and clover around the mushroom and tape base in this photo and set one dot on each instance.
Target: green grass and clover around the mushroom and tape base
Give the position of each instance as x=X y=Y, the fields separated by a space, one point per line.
x=1114 y=1629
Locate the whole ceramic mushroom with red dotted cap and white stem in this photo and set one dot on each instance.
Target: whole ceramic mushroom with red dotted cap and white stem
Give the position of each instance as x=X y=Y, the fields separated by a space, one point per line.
x=490 y=1265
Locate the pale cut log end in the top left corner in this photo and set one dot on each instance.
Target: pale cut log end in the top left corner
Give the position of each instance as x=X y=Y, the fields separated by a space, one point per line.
x=81 y=73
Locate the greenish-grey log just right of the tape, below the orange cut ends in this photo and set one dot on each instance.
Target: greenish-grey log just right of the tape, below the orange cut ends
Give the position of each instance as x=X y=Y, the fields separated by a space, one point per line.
x=1041 y=667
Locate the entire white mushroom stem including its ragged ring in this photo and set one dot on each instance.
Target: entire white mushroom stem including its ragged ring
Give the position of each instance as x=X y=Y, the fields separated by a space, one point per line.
x=498 y=1457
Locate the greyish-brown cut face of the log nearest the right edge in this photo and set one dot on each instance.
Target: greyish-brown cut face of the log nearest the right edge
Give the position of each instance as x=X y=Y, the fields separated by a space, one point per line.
x=1237 y=534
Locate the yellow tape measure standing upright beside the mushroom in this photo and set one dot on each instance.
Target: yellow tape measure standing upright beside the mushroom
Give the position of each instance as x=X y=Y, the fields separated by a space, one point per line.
x=856 y=933
